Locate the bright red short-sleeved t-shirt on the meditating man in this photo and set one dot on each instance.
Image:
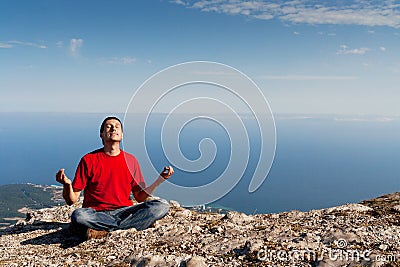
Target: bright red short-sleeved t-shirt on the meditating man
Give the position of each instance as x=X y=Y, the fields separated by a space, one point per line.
x=108 y=181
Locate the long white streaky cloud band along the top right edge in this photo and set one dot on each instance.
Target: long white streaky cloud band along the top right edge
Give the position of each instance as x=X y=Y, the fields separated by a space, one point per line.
x=357 y=12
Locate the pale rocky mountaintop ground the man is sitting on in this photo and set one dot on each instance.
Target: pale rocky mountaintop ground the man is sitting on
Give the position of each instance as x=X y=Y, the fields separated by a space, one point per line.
x=364 y=234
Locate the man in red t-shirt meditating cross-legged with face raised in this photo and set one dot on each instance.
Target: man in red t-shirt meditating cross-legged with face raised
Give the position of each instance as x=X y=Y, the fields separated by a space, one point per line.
x=108 y=176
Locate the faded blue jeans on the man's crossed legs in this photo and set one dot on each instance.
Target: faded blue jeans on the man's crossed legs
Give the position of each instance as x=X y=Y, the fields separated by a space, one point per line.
x=139 y=216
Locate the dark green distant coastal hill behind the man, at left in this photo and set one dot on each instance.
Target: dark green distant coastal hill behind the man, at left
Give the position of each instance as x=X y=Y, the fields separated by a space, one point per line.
x=16 y=196
